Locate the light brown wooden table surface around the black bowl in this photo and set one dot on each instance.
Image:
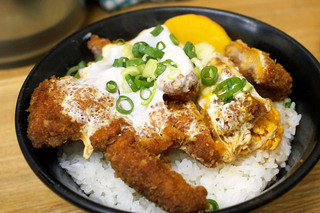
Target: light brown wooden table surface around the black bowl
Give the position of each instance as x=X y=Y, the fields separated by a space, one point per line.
x=22 y=191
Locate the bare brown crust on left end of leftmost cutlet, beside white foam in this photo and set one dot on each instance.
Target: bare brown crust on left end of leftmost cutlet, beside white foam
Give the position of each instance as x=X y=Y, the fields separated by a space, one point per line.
x=47 y=125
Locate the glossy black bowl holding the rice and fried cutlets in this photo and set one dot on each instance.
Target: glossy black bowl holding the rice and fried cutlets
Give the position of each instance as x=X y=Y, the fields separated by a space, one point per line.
x=303 y=67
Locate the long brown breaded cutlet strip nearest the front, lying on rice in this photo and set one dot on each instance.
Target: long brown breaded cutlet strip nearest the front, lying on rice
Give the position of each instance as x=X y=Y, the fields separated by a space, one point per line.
x=144 y=172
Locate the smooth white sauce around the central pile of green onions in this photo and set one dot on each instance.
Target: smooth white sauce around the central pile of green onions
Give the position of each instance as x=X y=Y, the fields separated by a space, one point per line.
x=99 y=73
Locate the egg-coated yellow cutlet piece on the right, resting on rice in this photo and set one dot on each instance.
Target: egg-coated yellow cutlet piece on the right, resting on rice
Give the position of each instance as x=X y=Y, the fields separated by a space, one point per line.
x=245 y=123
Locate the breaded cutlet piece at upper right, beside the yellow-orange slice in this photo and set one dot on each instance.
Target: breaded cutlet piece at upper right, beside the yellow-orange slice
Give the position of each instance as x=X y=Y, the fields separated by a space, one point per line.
x=270 y=79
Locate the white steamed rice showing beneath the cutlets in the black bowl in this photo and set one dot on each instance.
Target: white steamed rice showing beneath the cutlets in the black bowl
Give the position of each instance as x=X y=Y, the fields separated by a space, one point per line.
x=227 y=184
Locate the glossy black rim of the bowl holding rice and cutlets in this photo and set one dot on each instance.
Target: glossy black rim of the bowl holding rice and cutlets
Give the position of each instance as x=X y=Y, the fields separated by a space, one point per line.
x=90 y=205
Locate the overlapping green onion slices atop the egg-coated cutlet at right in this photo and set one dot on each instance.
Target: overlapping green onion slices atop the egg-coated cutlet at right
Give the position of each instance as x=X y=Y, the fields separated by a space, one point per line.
x=229 y=87
